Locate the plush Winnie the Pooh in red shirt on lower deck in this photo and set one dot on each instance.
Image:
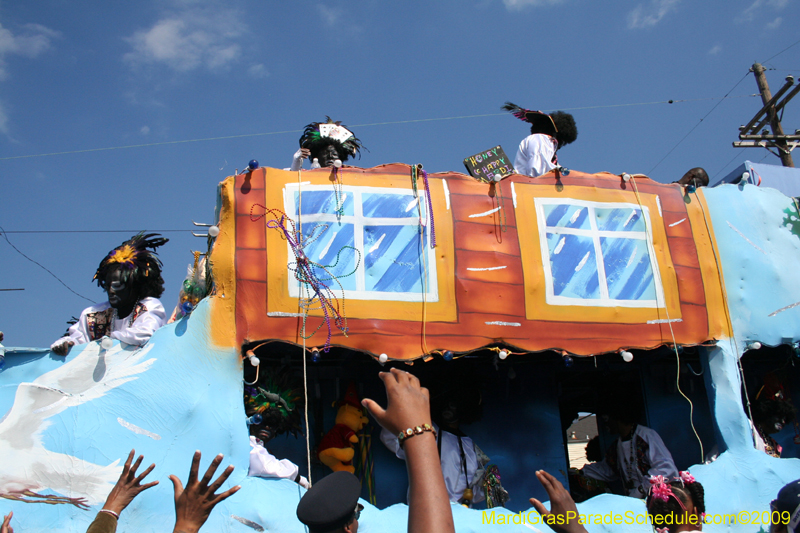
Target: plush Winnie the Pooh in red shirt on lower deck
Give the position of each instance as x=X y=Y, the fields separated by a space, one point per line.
x=336 y=449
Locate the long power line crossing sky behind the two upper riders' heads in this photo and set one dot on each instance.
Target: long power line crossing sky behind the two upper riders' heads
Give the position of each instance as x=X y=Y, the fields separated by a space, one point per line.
x=437 y=119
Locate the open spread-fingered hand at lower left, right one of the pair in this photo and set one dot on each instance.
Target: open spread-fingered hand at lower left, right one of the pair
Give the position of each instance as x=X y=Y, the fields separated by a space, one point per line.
x=194 y=504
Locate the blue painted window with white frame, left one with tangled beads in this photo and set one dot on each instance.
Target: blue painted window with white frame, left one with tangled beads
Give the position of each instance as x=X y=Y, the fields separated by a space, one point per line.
x=388 y=227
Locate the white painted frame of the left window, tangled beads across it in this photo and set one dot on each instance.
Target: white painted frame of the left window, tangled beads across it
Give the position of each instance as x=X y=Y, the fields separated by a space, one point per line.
x=359 y=221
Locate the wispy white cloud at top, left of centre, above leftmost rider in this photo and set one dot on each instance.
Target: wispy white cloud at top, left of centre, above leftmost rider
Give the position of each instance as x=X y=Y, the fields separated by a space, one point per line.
x=194 y=38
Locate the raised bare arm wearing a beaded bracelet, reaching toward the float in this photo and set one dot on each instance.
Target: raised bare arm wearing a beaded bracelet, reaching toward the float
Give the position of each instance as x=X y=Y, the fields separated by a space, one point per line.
x=409 y=407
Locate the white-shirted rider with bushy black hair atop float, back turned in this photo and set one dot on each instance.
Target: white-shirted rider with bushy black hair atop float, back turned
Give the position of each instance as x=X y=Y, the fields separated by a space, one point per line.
x=537 y=152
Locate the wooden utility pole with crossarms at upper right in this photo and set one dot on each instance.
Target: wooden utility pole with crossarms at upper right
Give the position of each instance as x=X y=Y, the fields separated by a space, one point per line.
x=749 y=135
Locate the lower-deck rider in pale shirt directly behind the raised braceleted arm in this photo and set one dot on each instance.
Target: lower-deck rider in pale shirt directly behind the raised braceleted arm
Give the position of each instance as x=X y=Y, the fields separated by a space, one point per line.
x=463 y=462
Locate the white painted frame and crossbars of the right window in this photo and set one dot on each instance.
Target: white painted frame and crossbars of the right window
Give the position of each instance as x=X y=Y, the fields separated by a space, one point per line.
x=594 y=233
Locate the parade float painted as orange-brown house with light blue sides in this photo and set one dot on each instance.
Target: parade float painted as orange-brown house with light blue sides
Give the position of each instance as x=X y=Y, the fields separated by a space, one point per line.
x=541 y=293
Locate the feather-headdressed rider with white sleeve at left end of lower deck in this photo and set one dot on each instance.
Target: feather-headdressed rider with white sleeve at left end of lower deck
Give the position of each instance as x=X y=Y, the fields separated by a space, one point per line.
x=273 y=408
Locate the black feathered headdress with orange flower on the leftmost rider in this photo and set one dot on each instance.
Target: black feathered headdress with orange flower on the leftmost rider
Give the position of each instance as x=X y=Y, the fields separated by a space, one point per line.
x=135 y=261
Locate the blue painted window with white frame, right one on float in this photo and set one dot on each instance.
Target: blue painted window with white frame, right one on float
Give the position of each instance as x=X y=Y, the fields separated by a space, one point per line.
x=598 y=254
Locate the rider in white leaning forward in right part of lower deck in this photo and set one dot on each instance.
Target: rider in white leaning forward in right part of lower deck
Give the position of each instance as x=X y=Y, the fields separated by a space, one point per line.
x=635 y=455
